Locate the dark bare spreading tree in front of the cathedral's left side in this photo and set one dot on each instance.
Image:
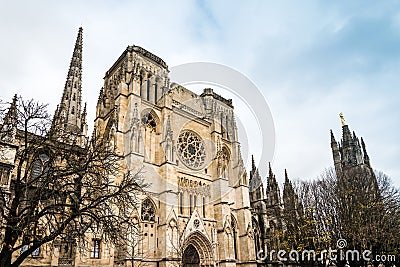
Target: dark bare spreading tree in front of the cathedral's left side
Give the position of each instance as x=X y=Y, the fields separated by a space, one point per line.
x=59 y=191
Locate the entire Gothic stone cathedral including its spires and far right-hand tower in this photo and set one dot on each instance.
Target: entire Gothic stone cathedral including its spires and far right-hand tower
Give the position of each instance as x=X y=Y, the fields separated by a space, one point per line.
x=201 y=208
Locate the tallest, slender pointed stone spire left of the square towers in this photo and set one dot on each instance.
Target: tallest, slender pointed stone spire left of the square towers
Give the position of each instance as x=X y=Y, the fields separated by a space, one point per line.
x=69 y=118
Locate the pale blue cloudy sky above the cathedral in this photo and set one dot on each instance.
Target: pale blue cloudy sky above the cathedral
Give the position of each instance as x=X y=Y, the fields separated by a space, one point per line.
x=310 y=59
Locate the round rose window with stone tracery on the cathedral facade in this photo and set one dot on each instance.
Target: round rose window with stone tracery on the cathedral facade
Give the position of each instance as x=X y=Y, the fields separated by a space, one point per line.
x=191 y=149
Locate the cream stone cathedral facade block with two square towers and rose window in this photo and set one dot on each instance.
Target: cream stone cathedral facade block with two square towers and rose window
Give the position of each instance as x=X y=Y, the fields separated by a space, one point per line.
x=197 y=211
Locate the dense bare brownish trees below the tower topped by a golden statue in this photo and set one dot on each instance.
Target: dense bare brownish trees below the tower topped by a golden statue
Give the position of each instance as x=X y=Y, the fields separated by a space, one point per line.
x=359 y=206
